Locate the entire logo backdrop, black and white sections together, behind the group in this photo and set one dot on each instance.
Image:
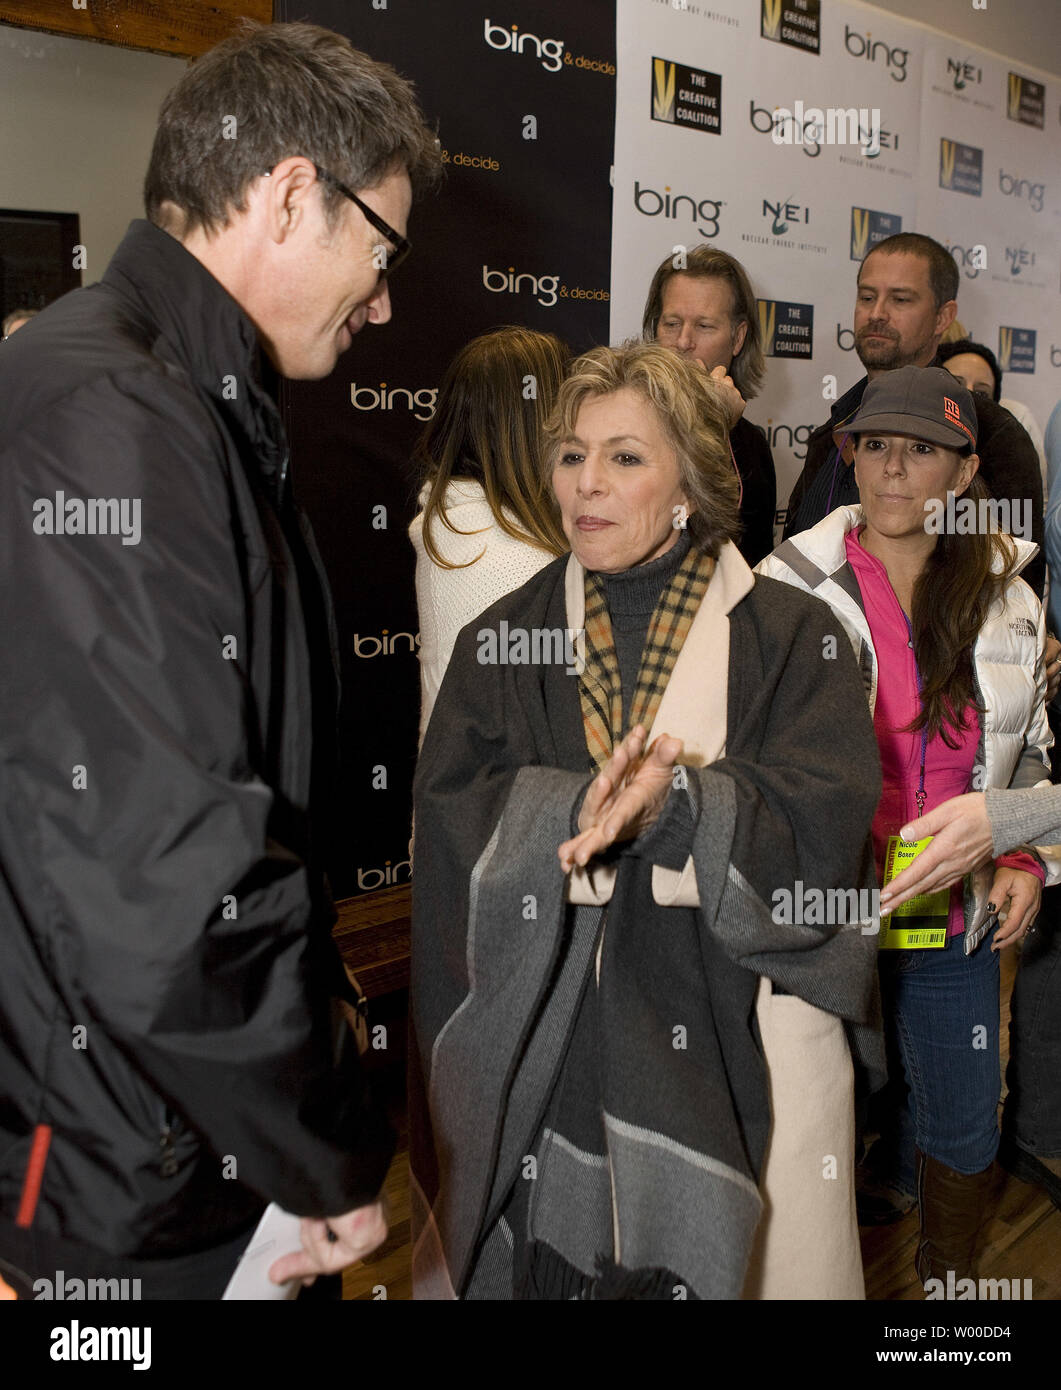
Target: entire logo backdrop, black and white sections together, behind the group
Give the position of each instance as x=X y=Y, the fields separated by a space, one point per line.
x=532 y=115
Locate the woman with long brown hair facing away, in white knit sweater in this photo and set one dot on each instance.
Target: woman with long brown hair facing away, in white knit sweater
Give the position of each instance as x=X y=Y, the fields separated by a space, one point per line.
x=489 y=523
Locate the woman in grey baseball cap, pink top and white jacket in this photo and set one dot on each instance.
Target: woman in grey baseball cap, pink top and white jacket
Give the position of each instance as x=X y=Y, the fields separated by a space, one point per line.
x=925 y=582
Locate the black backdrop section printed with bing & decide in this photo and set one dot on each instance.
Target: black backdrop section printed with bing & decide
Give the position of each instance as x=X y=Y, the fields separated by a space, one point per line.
x=524 y=98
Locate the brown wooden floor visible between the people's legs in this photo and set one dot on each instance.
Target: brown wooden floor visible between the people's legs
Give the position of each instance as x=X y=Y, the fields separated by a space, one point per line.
x=1021 y=1239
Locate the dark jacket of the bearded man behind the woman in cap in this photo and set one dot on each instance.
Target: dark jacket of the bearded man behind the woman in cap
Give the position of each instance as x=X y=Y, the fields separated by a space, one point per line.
x=1009 y=468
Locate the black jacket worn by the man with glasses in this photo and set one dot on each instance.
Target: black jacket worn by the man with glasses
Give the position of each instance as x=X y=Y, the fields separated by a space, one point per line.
x=170 y=1056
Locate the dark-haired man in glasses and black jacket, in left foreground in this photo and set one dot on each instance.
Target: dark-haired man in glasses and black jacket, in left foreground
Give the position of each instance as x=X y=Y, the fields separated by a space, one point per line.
x=172 y=1001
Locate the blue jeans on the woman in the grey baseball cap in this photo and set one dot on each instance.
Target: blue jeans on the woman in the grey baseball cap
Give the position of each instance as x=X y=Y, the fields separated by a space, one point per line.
x=942 y=1032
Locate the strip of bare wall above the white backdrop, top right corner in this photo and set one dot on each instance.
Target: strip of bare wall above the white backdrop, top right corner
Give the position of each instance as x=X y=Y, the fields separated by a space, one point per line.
x=1024 y=30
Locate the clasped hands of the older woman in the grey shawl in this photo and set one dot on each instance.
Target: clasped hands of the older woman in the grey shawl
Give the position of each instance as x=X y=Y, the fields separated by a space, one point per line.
x=625 y=799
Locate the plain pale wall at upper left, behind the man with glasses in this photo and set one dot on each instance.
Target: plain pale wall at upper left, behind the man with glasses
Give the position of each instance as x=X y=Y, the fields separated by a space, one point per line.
x=77 y=131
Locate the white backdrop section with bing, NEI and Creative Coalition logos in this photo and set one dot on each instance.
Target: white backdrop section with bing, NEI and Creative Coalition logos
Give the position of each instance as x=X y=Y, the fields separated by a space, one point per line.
x=749 y=124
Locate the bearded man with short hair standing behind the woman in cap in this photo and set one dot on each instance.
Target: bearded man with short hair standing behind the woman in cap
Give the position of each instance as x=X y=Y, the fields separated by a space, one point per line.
x=906 y=302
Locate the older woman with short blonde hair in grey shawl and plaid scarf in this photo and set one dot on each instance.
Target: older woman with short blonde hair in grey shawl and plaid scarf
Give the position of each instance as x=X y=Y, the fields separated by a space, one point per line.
x=632 y=1074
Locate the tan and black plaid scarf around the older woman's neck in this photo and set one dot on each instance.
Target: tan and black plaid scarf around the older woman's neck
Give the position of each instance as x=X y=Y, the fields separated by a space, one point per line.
x=600 y=690
